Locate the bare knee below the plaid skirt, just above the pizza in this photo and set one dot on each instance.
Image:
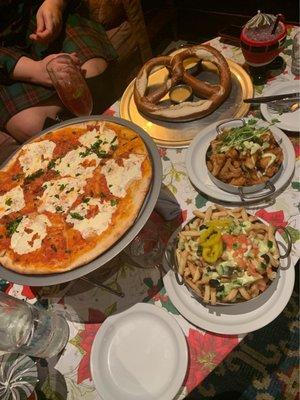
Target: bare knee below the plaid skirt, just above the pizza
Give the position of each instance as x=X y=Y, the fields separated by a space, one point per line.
x=25 y=124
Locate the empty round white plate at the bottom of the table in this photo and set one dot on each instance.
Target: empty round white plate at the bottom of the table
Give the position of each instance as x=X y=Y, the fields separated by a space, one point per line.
x=139 y=354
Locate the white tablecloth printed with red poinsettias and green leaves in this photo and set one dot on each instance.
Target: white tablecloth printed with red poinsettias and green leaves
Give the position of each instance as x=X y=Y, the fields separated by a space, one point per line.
x=86 y=306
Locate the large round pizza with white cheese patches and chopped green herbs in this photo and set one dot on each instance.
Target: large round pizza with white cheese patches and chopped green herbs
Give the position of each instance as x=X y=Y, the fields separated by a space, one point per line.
x=69 y=195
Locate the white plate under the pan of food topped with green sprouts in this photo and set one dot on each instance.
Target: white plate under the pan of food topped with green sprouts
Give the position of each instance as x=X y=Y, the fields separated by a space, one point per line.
x=197 y=170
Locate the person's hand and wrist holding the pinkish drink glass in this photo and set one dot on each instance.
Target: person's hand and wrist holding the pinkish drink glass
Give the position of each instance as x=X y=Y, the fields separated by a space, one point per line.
x=28 y=70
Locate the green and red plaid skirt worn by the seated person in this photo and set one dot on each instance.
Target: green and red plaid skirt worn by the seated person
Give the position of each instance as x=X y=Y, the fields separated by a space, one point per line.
x=87 y=38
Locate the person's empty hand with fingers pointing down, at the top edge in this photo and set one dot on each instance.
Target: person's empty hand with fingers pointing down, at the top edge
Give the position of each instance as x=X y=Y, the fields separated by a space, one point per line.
x=48 y=21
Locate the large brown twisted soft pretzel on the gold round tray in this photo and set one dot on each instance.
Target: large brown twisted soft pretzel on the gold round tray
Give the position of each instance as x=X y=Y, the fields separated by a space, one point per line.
x=211 y=96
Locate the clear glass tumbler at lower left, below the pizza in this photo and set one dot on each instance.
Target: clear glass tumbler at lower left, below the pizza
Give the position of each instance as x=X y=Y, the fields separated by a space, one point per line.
x=28 y=330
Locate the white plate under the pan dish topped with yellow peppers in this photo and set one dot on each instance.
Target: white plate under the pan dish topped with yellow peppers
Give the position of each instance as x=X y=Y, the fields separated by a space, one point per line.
x=238 y=318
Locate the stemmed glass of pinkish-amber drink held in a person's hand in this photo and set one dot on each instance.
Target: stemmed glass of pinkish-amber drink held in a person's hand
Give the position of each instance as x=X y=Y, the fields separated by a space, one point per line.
x=70 y=85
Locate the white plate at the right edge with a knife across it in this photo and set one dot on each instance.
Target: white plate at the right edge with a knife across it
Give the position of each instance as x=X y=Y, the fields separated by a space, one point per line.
x=289 y=121
